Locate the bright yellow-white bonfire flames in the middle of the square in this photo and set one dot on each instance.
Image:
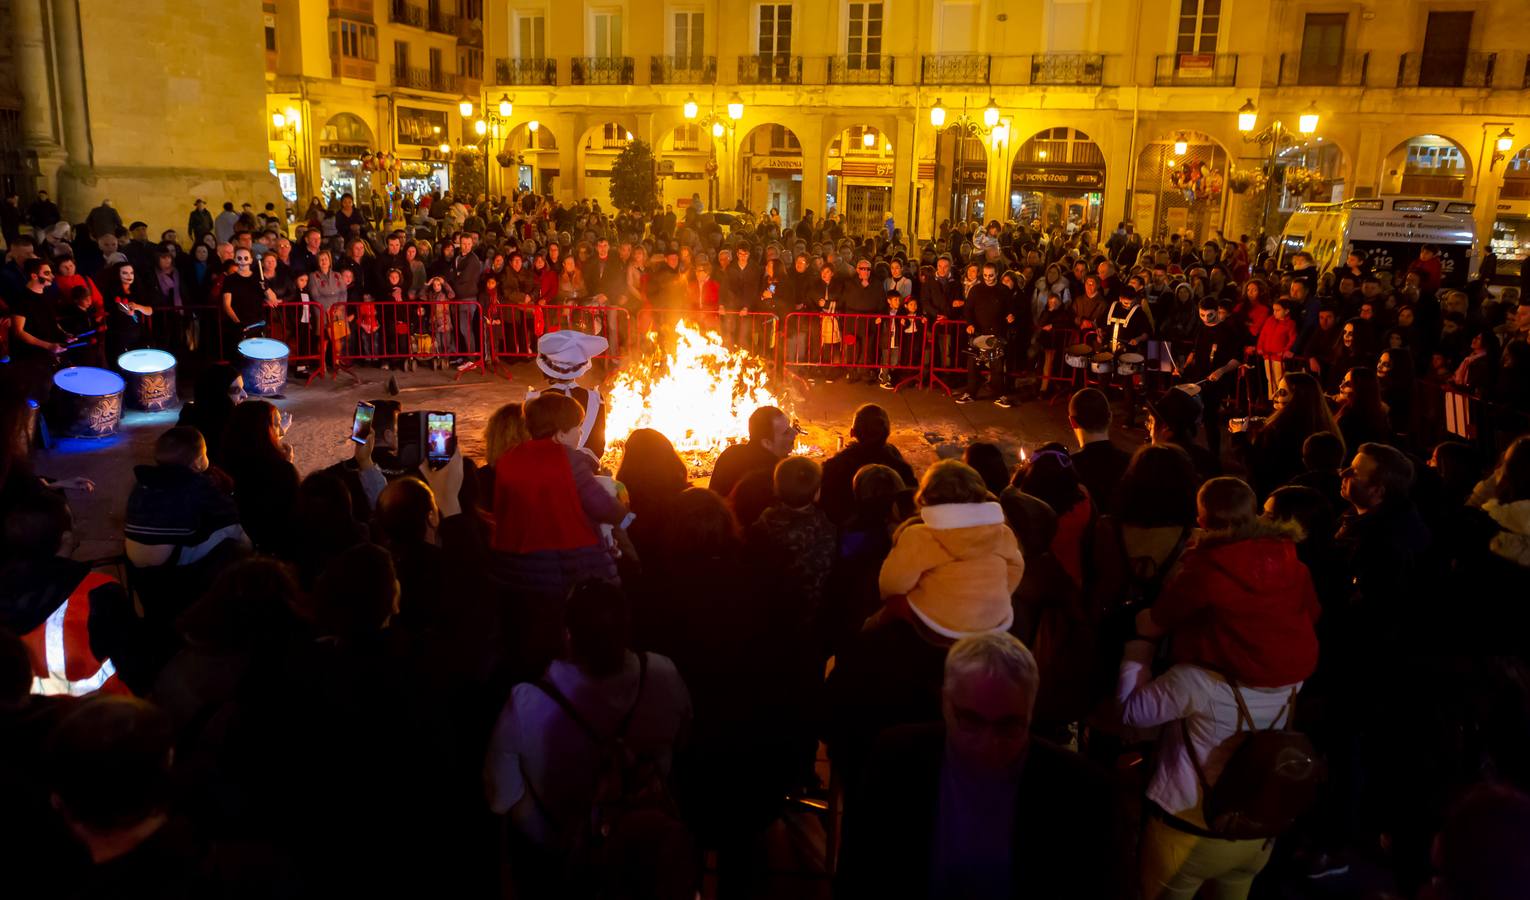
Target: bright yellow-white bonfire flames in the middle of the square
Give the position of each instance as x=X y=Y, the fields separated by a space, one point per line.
x=697 y=393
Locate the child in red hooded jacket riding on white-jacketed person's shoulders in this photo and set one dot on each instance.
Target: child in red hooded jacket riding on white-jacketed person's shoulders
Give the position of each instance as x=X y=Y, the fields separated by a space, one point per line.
x=1240 y=601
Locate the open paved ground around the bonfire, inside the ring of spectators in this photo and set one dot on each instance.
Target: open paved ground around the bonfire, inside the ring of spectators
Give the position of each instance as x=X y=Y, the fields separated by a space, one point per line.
x=926 y=426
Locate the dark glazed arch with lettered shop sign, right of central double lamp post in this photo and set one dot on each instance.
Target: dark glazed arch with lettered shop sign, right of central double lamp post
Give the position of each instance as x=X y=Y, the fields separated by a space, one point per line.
x=1058 y=180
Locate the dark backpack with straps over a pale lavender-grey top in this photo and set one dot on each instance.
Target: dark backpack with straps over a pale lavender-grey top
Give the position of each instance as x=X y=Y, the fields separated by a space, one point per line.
x=634 y=821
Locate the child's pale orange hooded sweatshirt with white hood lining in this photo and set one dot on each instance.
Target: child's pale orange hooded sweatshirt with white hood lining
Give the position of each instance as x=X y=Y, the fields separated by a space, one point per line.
x=959 y=566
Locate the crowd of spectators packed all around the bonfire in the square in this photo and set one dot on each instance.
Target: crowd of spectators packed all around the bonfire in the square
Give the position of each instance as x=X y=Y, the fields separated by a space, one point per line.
x=1280 y=659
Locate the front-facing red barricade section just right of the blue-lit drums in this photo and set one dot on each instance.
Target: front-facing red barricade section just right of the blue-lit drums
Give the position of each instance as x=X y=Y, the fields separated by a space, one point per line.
x=394 y=331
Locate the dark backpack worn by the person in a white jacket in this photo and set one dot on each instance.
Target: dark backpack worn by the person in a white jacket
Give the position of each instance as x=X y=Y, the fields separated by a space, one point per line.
x=1269 y=781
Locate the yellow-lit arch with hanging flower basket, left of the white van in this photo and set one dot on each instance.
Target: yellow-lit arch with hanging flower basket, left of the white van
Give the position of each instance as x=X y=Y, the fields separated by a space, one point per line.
x=1179 y=187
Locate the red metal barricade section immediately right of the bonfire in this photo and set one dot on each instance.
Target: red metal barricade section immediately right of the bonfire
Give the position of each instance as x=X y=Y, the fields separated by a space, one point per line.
x=893 y=348
